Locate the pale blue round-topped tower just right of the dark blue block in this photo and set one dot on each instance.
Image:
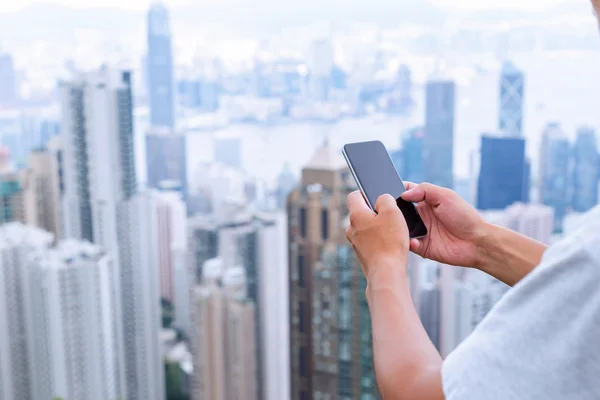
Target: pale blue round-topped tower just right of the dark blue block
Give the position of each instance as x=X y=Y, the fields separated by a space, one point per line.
x=554 y=172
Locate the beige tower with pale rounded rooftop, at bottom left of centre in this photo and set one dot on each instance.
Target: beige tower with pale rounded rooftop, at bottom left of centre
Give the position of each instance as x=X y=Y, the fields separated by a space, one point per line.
x=225 y=356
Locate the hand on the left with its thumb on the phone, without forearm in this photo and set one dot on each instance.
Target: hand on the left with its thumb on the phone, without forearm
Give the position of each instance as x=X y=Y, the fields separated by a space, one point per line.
x=380 y=239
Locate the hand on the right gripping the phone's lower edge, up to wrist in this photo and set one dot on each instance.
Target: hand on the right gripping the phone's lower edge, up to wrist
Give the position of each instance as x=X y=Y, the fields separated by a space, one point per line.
x=455 y=229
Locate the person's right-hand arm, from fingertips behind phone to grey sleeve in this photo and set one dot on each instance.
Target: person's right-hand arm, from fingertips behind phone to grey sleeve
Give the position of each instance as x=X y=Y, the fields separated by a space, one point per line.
x=458 y=235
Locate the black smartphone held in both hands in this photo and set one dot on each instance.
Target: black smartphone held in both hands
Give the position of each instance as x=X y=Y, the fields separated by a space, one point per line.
x=375 y=174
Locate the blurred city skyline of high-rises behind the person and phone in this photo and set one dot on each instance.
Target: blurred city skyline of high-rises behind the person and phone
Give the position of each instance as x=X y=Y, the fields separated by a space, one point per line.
x=173 y=196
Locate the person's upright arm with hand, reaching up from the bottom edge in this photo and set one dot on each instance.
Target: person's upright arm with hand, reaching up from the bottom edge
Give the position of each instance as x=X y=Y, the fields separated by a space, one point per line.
x=407 y=365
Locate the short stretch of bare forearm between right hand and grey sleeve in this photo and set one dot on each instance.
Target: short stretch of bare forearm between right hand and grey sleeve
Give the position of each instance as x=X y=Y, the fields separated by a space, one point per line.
x=507 y=255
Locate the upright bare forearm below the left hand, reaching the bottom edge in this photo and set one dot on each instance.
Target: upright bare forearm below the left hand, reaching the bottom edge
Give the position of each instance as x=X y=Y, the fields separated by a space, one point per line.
x=407 y=365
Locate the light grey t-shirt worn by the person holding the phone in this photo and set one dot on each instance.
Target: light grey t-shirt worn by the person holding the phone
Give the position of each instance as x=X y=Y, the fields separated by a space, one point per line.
x=542 y=339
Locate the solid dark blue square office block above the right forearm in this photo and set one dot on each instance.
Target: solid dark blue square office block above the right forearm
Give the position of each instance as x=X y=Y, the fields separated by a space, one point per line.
x=503 y=175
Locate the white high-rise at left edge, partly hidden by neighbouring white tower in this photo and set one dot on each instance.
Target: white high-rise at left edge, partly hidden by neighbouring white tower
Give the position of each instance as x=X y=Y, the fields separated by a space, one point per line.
x=17 y=243
